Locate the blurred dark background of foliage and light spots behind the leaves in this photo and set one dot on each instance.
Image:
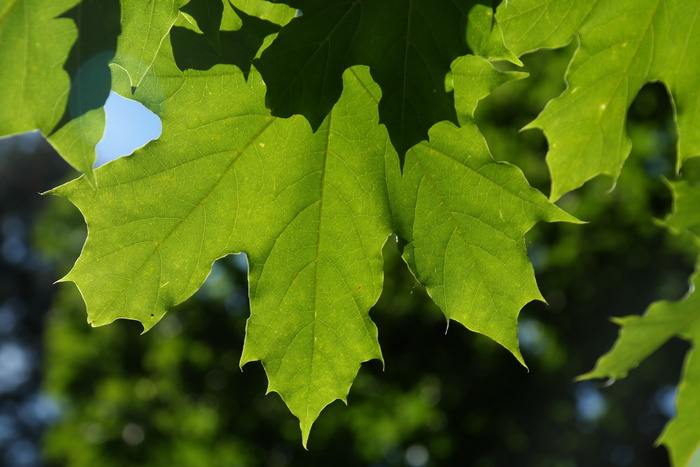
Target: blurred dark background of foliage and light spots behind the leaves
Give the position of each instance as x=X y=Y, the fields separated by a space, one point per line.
x=72 y=395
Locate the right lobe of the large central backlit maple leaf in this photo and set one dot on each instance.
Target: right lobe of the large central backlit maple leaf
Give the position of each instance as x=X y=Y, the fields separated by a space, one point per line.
x=466 y=244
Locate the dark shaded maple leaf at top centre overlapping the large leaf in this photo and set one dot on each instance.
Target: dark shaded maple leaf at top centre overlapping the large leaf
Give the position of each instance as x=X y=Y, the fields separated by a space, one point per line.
x=409 y=47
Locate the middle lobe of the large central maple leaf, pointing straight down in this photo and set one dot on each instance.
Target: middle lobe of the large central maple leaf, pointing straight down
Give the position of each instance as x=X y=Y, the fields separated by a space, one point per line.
x=311 y=296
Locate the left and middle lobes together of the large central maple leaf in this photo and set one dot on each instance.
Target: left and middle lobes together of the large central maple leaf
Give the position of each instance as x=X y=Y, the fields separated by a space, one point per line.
x=308 y=209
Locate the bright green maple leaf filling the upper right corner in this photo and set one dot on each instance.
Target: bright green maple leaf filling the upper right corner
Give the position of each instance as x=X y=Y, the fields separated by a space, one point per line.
x=651 y=41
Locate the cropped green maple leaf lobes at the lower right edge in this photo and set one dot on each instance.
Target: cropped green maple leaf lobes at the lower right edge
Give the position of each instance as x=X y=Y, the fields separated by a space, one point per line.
x=642 y=335
